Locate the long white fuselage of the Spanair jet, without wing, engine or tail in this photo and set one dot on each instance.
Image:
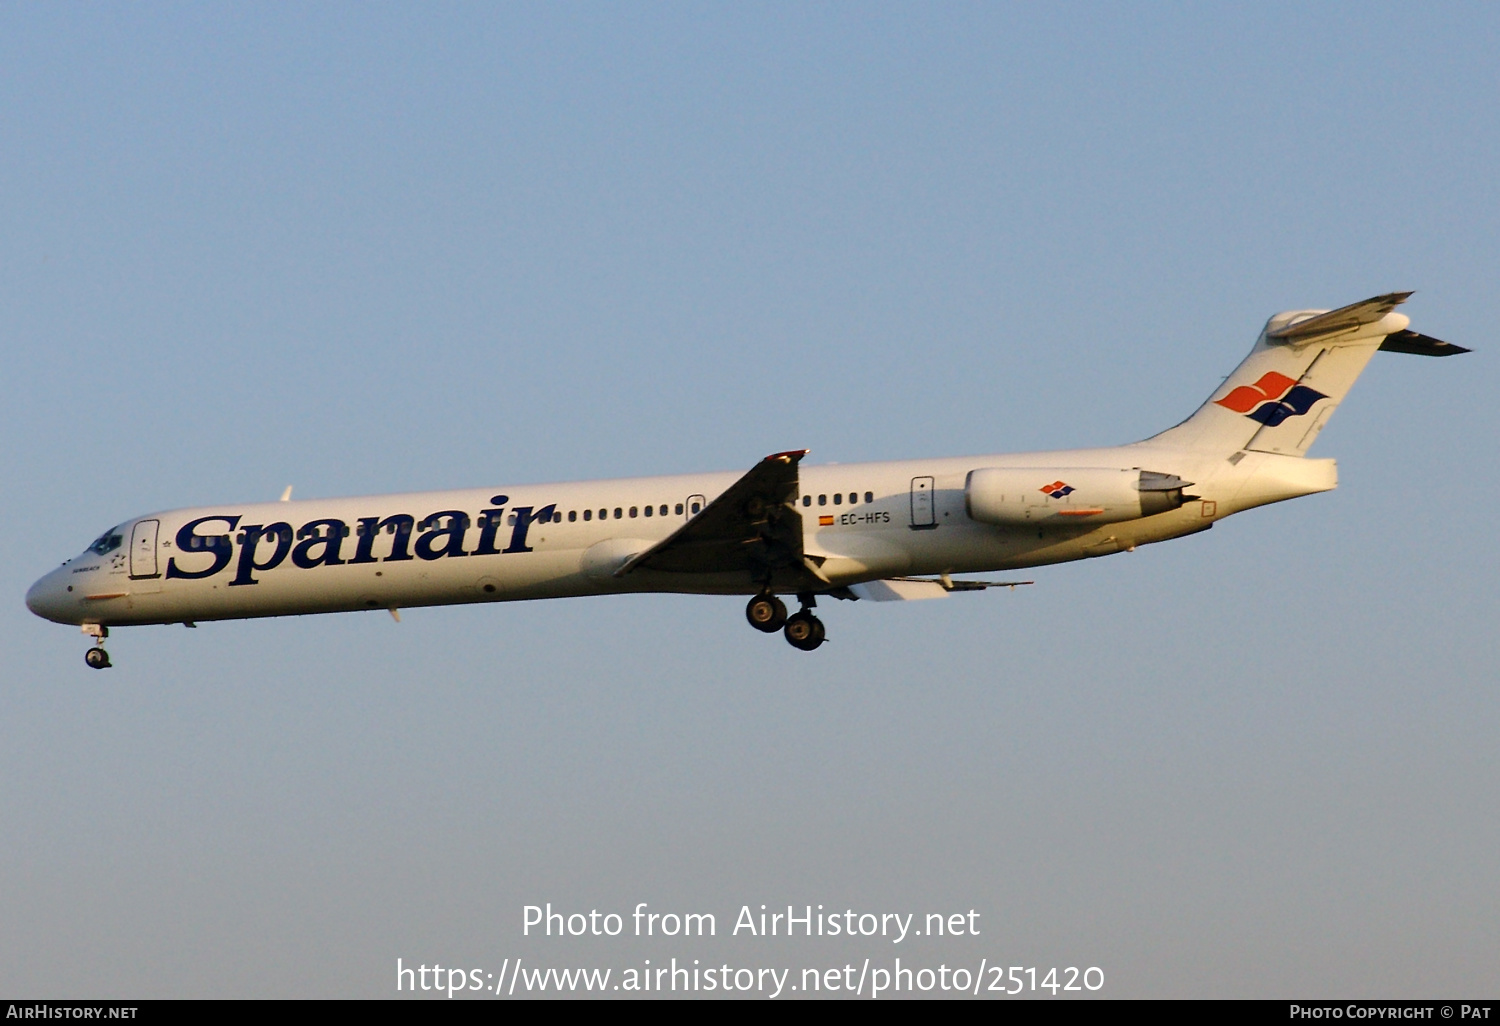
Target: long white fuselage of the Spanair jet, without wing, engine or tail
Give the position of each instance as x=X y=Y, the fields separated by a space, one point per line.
x=860 y=521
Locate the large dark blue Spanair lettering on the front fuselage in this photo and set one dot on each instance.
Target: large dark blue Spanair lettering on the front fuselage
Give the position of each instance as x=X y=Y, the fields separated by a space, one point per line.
x=326 y=542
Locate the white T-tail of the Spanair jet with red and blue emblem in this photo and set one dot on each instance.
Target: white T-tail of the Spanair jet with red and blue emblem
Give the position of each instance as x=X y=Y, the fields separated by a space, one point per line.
x=1301 y=368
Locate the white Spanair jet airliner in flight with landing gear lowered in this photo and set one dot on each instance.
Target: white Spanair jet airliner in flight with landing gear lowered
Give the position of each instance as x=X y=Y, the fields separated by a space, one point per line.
x=883 y=532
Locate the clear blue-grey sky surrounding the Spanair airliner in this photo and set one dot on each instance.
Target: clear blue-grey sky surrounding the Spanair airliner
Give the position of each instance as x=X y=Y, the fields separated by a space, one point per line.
x=391 y=247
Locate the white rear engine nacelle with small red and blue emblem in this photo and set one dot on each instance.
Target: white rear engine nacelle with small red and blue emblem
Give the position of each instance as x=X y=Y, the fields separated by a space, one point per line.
x=1040 y=497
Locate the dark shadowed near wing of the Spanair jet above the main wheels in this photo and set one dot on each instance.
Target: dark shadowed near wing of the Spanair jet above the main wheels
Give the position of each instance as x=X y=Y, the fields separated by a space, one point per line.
x=754 y=527
